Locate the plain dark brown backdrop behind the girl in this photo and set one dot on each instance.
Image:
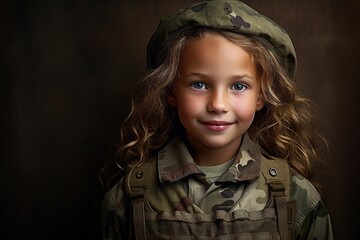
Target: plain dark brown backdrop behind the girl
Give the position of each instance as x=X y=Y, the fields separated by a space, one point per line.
x=67 y=69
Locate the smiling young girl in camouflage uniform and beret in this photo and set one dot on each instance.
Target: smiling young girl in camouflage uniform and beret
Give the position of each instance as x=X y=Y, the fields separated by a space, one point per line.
x=218 y=143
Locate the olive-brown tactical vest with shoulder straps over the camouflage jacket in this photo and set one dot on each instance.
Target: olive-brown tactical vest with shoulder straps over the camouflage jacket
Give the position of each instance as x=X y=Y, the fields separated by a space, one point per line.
x=153 y=218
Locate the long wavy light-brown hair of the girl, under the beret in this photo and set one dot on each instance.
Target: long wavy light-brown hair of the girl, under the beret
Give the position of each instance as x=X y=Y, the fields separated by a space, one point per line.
x=283 y=128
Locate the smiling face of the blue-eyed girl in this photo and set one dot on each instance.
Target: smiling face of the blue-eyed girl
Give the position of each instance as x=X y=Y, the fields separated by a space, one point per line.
x=217 y=93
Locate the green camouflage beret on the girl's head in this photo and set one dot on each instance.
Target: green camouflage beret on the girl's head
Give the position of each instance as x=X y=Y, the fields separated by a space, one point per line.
x=229 y=15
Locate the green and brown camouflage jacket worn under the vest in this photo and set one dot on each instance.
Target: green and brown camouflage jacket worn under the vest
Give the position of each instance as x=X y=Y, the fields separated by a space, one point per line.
x=241 y=192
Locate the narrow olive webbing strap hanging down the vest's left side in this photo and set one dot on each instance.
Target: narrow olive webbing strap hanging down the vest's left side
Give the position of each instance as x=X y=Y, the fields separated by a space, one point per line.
x=139 y=218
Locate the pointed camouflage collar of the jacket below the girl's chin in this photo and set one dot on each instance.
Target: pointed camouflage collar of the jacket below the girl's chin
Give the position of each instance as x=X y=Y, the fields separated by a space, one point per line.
x=175 y=162
